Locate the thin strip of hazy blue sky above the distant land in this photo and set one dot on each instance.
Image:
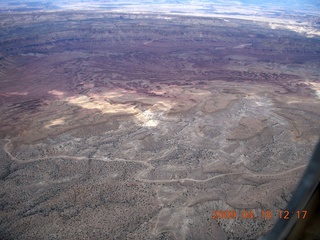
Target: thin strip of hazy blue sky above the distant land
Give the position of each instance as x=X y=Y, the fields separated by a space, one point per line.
x=296 y=5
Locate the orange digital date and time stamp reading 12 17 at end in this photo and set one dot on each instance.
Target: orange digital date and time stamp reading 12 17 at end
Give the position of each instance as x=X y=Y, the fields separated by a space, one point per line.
x=249 y=214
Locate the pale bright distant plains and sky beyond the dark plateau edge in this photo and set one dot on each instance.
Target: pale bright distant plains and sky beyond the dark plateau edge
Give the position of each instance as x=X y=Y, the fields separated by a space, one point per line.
x=299 y=16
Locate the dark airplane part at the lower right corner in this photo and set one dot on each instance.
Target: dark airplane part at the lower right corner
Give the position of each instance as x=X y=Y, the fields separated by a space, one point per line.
x=305 y=198
